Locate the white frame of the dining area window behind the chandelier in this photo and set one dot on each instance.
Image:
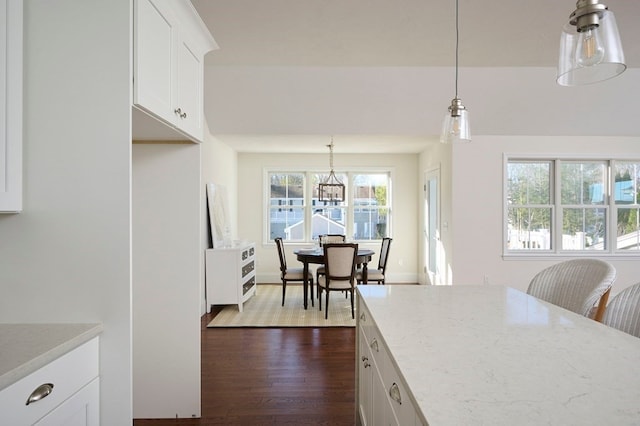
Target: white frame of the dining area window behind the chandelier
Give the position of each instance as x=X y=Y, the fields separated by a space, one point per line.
x=308 y=190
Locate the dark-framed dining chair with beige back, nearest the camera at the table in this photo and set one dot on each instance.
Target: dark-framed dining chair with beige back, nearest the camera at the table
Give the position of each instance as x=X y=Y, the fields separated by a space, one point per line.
x=340 y=271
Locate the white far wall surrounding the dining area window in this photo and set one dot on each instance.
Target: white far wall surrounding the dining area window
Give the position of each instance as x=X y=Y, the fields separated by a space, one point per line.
x=402 y=264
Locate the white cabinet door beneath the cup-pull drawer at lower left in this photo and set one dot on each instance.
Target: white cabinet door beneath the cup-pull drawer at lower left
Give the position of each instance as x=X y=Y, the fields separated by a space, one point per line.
x=81 y=409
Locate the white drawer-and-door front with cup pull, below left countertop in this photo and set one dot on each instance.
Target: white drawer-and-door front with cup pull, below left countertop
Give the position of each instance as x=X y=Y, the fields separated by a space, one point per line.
x=65 y=392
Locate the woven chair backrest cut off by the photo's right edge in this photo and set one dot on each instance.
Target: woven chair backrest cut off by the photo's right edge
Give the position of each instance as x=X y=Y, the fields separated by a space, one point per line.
x=623 y=312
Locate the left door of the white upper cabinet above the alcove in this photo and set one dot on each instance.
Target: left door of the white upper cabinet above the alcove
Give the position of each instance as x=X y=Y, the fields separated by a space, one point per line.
x=153 y=75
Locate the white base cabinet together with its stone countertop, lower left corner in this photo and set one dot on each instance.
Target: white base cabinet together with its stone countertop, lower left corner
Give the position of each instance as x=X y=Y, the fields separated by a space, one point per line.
x=49 y=375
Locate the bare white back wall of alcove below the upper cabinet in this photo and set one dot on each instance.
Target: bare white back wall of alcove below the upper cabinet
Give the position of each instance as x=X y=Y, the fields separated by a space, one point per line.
x=167 y=268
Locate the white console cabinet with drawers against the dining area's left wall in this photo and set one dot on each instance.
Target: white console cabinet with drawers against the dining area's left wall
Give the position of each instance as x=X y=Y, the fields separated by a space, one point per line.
x=230 y=275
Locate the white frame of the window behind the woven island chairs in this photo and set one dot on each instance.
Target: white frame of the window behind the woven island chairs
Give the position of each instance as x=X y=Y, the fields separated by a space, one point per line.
x=609 y=206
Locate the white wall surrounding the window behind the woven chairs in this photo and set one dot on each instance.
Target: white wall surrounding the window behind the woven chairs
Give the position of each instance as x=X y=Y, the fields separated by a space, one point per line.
x=477 y=205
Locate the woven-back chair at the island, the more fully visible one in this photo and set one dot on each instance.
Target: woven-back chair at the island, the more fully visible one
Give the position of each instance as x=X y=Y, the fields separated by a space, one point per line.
x=577 y=285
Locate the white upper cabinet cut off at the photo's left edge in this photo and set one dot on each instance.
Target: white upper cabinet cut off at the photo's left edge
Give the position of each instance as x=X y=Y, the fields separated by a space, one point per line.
x=11 y=106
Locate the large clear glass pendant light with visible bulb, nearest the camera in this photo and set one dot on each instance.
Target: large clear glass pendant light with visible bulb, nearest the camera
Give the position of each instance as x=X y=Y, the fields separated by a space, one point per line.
x=590 y=47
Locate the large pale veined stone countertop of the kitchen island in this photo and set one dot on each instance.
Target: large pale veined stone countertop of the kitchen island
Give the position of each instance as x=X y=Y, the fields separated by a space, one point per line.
x=492 y=355
